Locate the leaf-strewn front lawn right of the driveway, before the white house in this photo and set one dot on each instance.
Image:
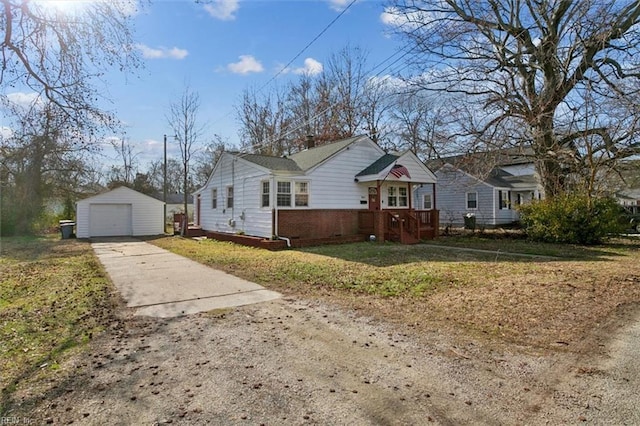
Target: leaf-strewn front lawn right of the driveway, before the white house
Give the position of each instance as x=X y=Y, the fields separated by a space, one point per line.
x=549 y=301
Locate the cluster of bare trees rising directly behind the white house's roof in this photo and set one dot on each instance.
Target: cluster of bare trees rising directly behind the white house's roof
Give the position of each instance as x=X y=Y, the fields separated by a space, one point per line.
x=341 y=102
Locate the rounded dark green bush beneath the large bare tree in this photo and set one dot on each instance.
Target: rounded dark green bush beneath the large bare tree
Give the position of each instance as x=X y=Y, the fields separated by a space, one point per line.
x=573 y=219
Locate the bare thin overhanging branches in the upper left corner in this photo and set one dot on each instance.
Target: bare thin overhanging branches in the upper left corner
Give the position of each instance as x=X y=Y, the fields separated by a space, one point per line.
x=58 y=53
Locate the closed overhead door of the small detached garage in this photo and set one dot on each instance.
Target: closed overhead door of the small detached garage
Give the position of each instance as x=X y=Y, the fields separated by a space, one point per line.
x=110 y=220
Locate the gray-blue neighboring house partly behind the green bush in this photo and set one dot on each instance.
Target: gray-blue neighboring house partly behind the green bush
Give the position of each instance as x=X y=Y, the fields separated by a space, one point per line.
x=484 y=186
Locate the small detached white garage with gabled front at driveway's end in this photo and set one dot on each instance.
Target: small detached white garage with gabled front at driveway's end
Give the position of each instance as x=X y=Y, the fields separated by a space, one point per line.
x=119 y=212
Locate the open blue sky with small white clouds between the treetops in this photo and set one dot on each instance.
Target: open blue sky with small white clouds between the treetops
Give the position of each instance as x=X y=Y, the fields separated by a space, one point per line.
x=225 y=46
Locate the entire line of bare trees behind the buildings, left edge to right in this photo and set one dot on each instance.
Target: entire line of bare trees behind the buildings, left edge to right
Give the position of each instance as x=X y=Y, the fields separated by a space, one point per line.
x=561 y=77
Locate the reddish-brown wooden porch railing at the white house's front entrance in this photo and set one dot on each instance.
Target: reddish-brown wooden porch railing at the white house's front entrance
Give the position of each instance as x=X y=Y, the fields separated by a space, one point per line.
x=404 y=226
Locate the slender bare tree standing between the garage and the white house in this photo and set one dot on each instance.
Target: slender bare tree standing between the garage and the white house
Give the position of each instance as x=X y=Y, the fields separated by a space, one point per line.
x=183 y=120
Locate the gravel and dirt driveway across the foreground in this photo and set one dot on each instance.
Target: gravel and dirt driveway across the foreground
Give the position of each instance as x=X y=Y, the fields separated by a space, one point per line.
x=295 y=362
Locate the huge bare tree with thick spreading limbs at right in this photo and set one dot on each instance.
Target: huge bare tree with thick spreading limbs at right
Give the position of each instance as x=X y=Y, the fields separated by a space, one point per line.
x=527 y=63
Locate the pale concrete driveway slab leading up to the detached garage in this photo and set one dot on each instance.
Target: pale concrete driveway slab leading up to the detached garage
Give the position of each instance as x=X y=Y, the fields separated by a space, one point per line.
x=159 y=283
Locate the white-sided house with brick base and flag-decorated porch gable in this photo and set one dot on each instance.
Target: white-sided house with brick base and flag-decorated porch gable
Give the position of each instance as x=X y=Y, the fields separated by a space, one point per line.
x=342 y=190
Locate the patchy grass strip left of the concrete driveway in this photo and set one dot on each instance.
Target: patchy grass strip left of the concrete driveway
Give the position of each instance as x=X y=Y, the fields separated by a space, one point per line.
x=54 y=296
